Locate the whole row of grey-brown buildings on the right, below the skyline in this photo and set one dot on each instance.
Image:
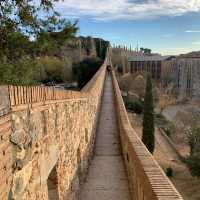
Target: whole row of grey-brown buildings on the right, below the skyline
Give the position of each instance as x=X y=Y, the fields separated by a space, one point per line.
x=182 y=72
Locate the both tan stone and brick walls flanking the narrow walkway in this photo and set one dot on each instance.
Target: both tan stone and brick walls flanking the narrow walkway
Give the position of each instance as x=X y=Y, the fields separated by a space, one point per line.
x=47 y=138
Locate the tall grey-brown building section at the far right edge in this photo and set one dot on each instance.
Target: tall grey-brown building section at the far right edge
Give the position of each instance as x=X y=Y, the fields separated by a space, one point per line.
x=182 y=76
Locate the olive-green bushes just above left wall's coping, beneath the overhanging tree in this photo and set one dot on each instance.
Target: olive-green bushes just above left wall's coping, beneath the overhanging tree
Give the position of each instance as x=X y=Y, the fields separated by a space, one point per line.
x=30 y=71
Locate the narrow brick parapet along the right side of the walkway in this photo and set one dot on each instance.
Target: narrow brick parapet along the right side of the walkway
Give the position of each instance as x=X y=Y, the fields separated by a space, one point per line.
x=147 y=180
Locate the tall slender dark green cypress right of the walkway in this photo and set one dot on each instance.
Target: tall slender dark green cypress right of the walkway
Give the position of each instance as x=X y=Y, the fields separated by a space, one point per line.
x=148 y=137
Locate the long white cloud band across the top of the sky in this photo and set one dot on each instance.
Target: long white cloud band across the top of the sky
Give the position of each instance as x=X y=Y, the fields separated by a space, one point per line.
x=127 y=9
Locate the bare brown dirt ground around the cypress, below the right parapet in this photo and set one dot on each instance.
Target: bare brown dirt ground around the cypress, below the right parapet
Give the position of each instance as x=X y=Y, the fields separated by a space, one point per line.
x=188 y=186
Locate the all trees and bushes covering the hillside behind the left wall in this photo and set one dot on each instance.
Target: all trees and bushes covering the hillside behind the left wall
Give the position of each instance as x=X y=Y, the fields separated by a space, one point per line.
x=35 y=50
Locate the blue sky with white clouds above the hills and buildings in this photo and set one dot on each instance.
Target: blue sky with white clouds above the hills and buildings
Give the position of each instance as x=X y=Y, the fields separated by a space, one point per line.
x=169 y=27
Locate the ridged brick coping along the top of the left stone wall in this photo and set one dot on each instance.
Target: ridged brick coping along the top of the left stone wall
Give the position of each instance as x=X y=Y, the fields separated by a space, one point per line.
x=19 y=97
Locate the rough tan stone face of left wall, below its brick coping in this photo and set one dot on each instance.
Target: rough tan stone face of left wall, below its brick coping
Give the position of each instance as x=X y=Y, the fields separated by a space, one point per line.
x=59 y=134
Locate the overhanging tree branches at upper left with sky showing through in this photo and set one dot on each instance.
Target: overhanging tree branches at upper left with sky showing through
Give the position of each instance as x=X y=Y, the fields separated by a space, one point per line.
x=20 y=19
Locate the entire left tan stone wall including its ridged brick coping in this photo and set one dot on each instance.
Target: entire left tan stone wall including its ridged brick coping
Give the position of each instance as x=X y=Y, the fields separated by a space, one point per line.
x=51 y=130
